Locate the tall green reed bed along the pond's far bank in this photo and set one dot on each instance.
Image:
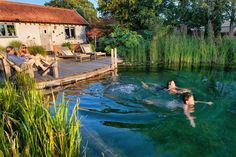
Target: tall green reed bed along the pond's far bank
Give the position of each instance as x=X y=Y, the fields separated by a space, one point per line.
x=185 y=50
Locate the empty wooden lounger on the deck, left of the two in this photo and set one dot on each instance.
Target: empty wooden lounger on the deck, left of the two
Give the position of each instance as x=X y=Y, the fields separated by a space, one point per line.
x=66 y=53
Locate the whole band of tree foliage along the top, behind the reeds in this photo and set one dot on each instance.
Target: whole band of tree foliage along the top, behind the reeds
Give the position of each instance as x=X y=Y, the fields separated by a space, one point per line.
x=140 y=15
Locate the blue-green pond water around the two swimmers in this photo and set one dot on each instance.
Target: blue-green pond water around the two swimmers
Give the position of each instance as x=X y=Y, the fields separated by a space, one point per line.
x=118 y=120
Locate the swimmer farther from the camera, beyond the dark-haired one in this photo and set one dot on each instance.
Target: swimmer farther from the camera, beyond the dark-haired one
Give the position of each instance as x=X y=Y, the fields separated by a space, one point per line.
x=171 y=87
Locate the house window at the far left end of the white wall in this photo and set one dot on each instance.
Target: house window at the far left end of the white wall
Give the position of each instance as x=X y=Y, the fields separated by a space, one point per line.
x=7 y=30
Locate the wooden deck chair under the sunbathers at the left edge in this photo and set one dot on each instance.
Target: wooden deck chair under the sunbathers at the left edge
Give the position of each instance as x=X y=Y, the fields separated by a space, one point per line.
x=7 y=65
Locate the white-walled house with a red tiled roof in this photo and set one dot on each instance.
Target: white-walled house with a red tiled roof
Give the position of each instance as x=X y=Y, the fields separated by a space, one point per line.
x=40 y=25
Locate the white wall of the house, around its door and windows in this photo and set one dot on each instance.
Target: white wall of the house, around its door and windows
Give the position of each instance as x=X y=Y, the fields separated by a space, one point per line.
x=29 y=34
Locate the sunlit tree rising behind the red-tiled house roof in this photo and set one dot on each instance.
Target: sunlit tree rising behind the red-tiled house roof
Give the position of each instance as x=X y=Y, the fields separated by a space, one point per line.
x=84 y=7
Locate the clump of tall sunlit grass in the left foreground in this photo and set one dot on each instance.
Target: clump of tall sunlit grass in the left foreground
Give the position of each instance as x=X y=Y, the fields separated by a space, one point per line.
x=29 y=128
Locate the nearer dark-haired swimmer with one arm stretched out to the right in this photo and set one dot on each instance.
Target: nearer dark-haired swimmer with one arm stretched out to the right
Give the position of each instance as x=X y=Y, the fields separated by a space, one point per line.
x=188 y=107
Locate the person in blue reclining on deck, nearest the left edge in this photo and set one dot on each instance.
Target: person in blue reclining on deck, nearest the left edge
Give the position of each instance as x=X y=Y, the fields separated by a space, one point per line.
x=23 y=61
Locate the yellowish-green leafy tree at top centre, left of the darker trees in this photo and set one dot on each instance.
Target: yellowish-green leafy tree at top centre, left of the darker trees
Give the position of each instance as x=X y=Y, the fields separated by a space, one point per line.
x=133 y=14
